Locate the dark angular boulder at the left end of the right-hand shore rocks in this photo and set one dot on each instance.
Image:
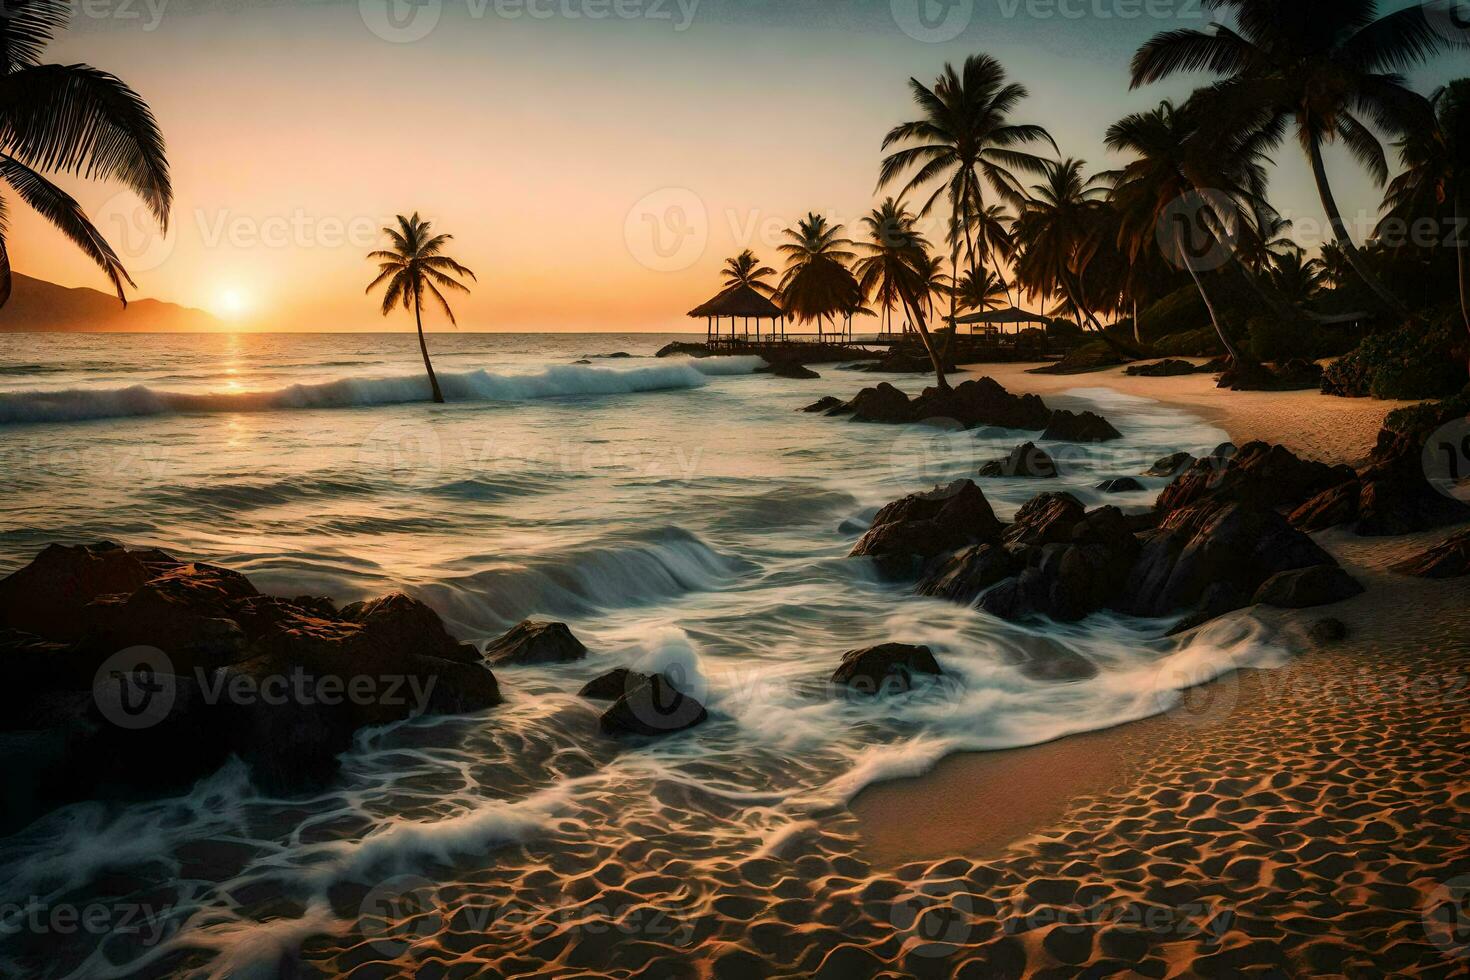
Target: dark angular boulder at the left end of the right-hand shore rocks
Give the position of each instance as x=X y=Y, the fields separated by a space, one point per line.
x=917 y=530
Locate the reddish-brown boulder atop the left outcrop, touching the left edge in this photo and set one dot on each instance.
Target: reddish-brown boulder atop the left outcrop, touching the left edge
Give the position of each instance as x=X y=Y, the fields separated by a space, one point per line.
x=49 y=596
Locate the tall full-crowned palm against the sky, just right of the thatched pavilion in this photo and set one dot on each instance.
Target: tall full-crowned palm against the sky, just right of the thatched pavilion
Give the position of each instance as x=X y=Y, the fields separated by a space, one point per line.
x=964 y=142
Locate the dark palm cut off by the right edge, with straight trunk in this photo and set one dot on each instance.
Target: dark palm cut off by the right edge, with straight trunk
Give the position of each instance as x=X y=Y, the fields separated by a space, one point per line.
x=1437 y=176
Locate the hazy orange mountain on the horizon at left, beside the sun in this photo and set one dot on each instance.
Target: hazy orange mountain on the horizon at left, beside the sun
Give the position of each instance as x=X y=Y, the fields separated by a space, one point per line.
x=48 y=308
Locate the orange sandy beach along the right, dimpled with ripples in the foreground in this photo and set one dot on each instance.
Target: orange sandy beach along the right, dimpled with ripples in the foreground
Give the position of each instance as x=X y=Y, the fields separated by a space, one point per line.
x=1305 y=819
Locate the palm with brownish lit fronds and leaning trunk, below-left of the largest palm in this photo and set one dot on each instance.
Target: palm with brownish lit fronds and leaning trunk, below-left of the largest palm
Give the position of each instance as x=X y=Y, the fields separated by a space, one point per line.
x=1161 y=192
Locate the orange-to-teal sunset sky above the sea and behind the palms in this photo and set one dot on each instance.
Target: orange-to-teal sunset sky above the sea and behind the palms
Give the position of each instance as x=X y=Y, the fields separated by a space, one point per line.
x=552 y=146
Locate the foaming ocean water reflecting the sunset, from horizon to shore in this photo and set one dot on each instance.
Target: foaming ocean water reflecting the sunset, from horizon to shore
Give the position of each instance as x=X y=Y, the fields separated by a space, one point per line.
x=678 y=515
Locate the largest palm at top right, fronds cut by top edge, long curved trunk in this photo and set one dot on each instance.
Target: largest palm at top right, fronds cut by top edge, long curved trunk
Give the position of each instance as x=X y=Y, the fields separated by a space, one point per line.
x=1327 y=68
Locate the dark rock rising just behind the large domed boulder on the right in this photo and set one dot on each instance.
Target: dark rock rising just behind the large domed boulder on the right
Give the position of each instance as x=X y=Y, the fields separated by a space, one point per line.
x=1261 y=475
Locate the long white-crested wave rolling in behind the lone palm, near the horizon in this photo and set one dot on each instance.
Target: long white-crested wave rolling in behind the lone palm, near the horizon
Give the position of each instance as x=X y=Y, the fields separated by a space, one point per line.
x=79 y=405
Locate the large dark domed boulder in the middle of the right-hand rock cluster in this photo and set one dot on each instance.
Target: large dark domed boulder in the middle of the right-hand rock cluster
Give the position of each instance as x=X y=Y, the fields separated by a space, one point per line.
x=1227 y=552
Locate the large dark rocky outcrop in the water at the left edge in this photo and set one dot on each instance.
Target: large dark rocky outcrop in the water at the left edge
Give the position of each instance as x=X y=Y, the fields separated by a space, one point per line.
x=184 y=663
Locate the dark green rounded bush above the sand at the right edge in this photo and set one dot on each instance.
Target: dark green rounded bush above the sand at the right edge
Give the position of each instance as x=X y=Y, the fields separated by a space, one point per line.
x=1412 y=362
